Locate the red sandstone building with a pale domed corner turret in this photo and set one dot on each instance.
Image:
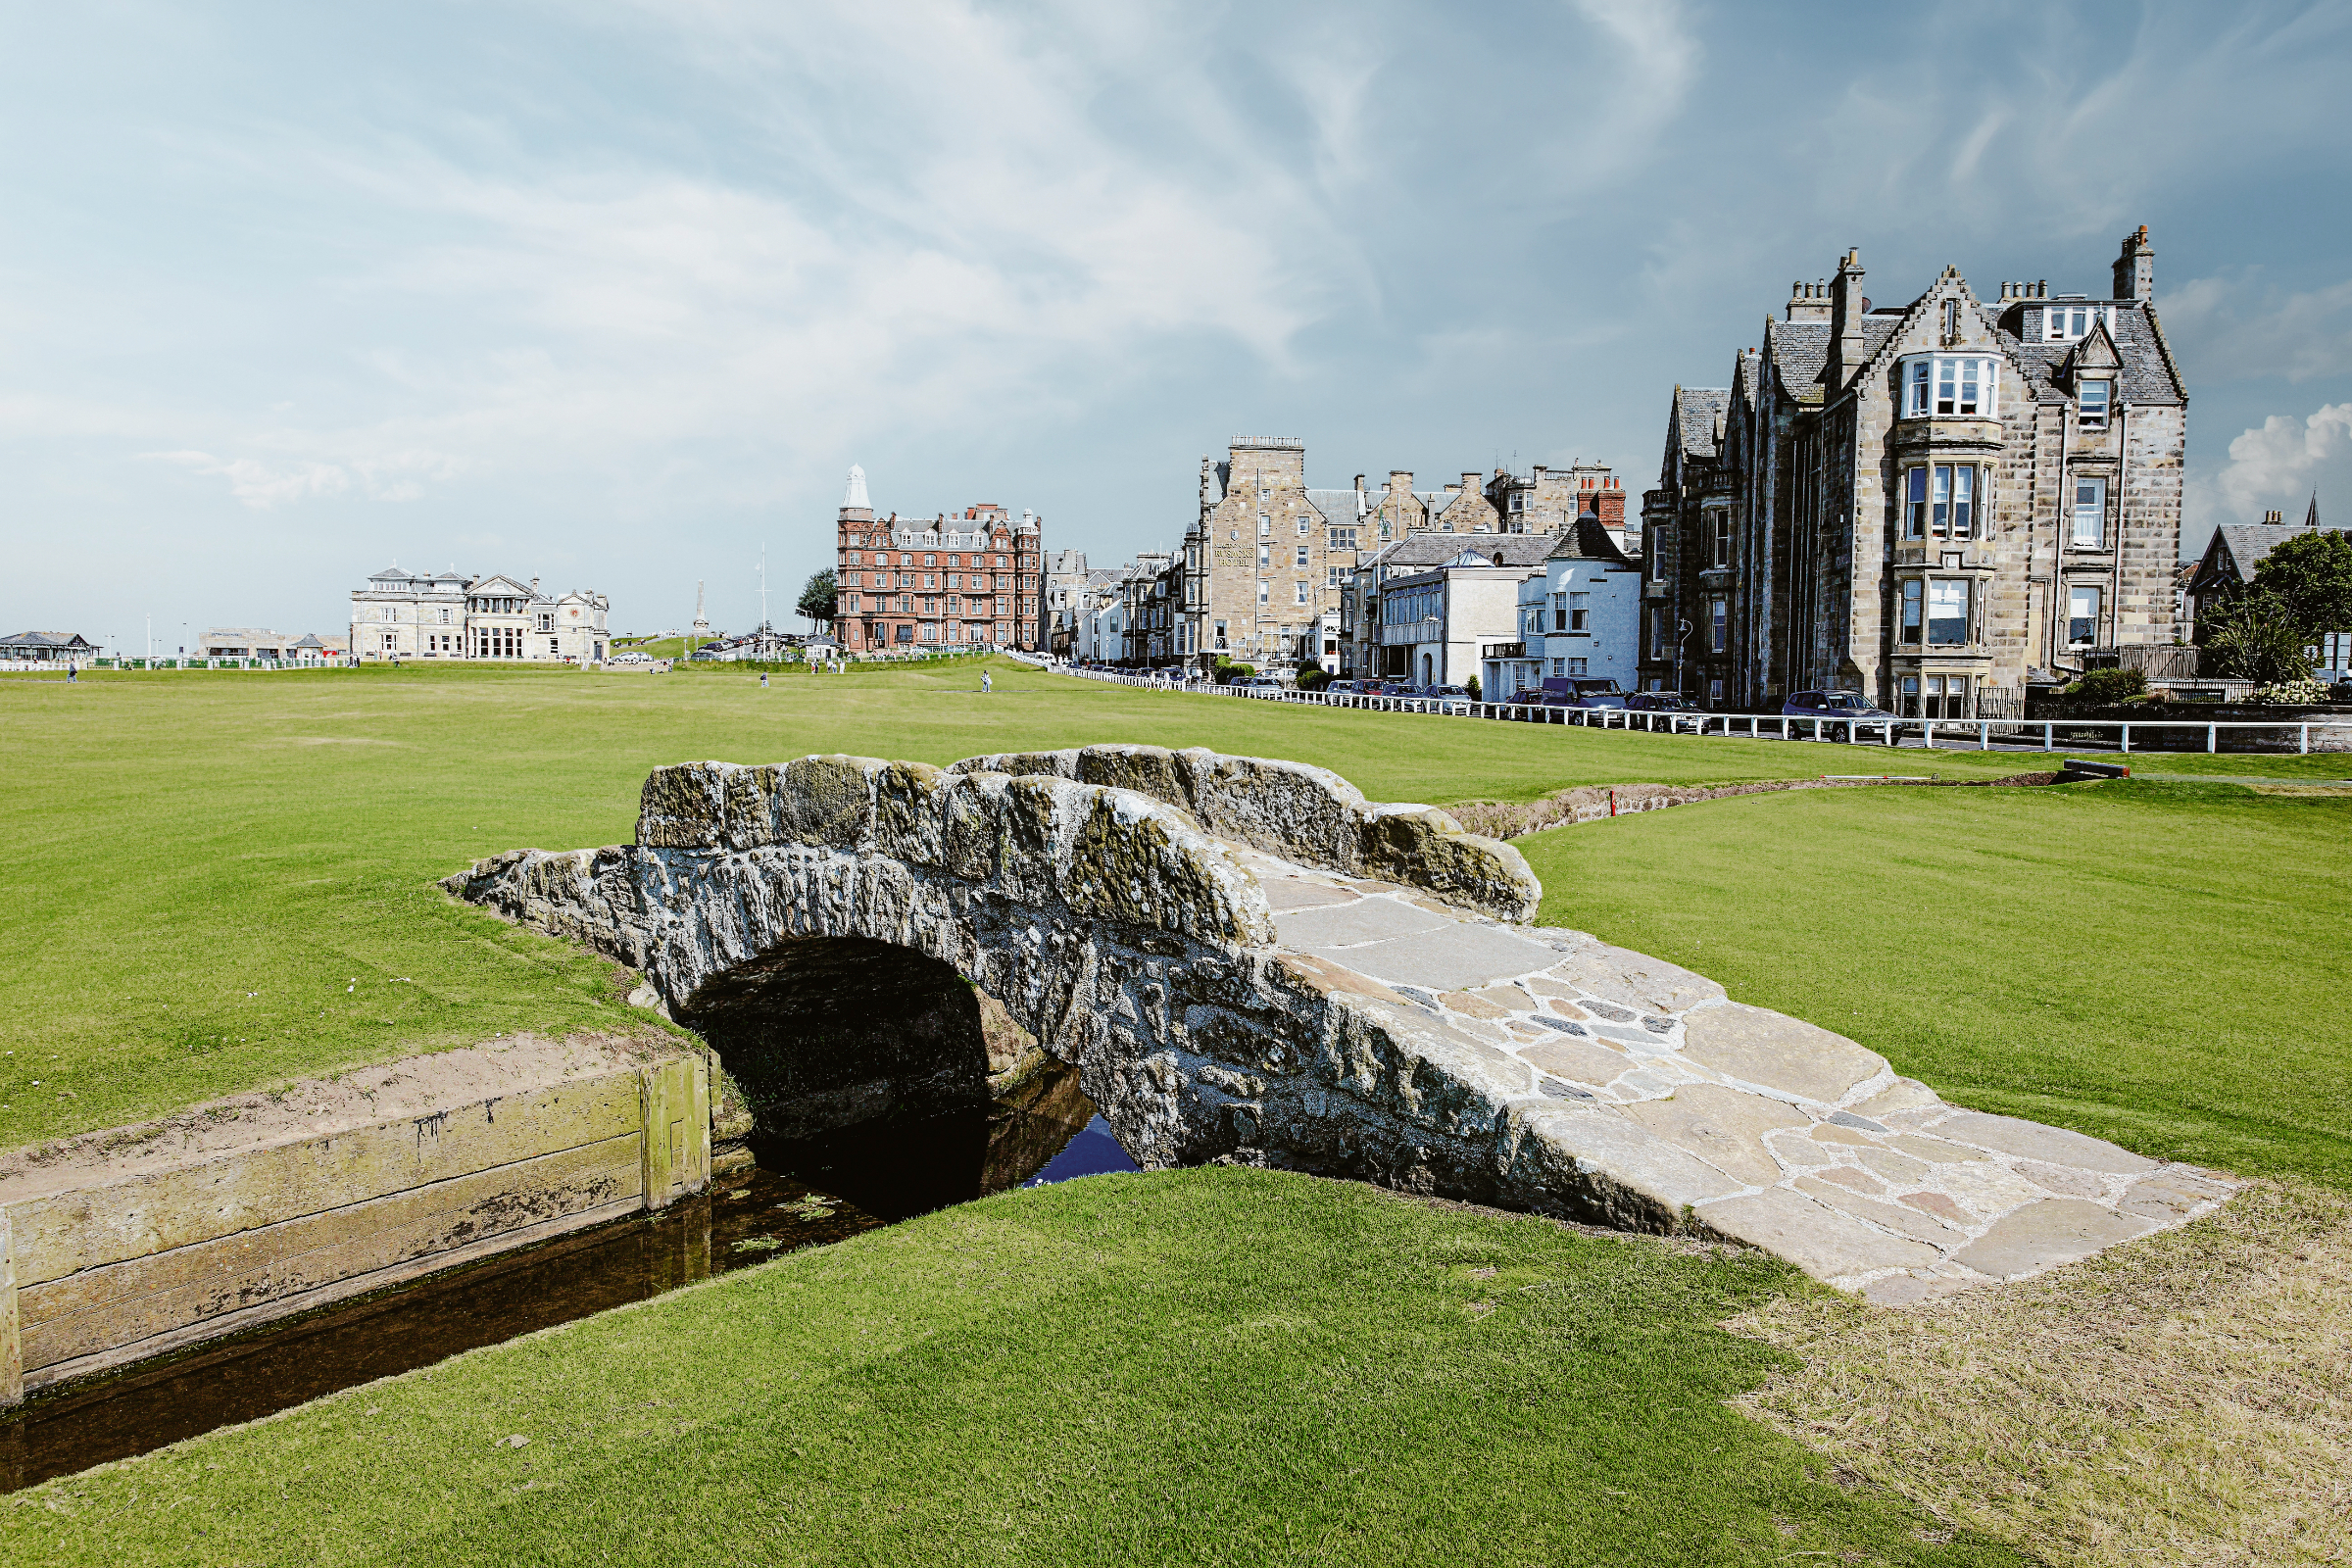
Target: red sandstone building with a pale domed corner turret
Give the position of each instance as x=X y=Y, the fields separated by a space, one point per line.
x=928 y=584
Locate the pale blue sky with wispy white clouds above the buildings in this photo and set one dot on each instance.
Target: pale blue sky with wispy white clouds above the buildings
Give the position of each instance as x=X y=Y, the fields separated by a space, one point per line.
x=613 y=295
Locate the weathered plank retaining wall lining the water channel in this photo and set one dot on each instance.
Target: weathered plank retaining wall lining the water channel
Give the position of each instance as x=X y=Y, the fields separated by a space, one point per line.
x=119 y=1271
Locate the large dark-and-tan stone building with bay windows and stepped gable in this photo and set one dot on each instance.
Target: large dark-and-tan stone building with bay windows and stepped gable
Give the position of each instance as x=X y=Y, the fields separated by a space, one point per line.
x=1930 y=502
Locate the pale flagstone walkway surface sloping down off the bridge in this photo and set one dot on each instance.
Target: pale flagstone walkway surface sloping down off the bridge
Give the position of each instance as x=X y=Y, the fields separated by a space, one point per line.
x=1753 y=1125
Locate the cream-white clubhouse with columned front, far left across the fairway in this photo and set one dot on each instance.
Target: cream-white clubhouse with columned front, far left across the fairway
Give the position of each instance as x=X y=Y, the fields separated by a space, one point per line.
x=453 y=615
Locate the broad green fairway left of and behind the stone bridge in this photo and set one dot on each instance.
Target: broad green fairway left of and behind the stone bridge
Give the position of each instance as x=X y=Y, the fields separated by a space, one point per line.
x=227 y=880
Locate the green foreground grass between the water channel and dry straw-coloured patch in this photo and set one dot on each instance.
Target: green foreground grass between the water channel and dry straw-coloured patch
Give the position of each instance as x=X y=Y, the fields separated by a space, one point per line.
x=1194 y=1367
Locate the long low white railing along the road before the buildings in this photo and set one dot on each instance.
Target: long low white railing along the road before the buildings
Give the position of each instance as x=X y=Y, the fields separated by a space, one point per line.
x=1953 y=735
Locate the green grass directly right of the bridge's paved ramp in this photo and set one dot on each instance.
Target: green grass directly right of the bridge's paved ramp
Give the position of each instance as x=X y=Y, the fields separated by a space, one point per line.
x=2158 y=965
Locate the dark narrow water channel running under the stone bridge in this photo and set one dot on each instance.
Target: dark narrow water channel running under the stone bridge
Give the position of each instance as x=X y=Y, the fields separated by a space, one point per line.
x=799 y=1195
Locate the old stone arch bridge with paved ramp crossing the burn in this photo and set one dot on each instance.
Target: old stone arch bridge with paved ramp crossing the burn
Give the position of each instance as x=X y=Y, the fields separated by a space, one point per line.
x=1250 y=963
